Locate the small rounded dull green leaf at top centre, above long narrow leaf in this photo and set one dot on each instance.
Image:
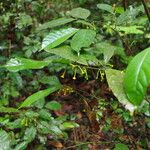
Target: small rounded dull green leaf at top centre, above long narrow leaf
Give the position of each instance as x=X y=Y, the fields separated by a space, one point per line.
x=79 y=12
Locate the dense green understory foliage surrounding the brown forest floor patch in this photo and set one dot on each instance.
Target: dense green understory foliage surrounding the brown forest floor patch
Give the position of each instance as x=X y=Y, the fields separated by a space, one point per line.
x=44 y=42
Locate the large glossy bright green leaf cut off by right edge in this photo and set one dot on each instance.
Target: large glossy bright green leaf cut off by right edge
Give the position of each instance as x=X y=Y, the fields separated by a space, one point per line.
x=137 y=77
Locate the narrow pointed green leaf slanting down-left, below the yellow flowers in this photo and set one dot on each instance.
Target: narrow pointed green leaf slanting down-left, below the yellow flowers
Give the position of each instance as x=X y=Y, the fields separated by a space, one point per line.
x=38 y=95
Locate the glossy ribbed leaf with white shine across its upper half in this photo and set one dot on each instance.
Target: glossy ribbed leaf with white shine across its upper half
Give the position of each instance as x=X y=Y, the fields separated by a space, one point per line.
x=57 y=37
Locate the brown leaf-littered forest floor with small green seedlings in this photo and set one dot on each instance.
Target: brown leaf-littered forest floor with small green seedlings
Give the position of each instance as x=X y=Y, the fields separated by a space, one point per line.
x=98 y=132
